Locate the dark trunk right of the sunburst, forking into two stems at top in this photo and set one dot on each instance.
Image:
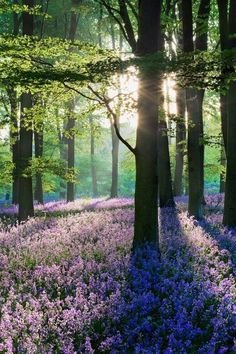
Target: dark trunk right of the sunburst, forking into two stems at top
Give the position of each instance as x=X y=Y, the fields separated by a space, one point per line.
x=194 y=101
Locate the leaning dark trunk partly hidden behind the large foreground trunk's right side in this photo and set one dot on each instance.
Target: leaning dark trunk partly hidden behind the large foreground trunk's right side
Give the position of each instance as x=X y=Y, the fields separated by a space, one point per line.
x=166 y=198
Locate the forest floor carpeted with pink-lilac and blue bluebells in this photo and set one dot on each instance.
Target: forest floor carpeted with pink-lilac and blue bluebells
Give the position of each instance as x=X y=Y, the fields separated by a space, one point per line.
x=69 y=283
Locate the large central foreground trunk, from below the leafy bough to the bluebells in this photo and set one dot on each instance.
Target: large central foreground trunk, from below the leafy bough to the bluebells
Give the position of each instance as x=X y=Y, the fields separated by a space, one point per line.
x=146 y=188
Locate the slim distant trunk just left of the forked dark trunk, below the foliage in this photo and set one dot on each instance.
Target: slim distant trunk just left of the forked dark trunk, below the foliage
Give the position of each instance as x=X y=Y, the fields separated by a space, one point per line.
x=180 y=141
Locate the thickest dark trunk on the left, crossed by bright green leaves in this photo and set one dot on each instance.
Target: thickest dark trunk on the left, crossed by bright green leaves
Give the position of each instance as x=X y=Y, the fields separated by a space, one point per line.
x=26 y=207
